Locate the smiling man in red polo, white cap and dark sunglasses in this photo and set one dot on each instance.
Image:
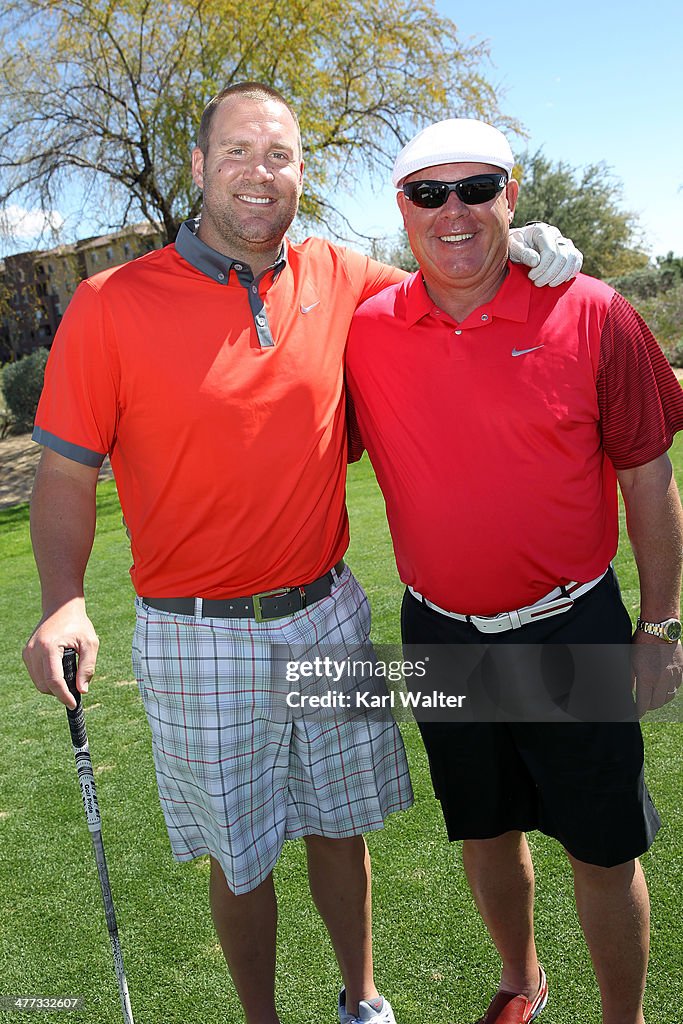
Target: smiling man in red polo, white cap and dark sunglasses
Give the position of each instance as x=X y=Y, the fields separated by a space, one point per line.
x=499 y=419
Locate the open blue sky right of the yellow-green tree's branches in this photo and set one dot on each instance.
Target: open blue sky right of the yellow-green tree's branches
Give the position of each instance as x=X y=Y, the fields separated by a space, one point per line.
x=591 y=82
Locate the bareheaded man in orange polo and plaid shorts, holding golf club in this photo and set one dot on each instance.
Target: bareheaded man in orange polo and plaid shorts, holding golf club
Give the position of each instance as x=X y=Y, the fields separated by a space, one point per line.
x=211 y=373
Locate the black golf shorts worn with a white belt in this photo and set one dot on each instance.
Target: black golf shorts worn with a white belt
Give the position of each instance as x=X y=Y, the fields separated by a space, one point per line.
x=581 y=783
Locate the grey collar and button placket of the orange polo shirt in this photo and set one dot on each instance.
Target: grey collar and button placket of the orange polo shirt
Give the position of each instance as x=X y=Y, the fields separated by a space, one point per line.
x=219 y=268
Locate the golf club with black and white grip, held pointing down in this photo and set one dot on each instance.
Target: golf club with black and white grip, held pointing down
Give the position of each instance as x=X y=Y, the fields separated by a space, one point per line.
x=88 y=783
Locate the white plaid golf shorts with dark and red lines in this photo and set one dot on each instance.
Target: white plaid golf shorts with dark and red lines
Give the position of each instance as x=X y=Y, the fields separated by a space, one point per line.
x=238 y=772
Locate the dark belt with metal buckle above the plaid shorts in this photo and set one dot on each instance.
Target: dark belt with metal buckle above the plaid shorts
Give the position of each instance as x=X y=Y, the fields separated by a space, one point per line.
x=270 y=605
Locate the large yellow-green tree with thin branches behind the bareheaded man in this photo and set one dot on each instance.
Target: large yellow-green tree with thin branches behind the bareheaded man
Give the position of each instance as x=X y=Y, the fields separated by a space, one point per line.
x=111 y=104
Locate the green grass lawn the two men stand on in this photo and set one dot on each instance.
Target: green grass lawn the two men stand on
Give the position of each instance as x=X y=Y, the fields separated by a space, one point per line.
x=431 y=946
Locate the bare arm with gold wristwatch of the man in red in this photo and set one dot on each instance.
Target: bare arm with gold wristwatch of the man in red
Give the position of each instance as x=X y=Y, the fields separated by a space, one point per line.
x=655 y=522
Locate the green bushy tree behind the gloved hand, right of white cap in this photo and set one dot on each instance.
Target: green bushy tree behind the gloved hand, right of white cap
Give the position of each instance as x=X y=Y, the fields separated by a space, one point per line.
x=584 y=204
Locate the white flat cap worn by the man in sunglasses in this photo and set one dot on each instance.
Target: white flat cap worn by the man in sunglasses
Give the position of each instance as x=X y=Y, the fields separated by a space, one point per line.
x=458 y=141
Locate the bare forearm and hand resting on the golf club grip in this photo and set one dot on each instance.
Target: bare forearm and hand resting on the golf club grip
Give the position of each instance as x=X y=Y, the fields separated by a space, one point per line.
x=63 y=529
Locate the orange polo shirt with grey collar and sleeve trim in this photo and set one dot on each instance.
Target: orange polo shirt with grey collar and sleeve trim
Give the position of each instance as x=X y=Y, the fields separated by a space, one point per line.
x=229 y=451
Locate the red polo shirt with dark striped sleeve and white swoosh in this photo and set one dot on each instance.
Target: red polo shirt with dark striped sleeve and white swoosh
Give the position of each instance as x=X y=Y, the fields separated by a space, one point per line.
x=495 y=441
